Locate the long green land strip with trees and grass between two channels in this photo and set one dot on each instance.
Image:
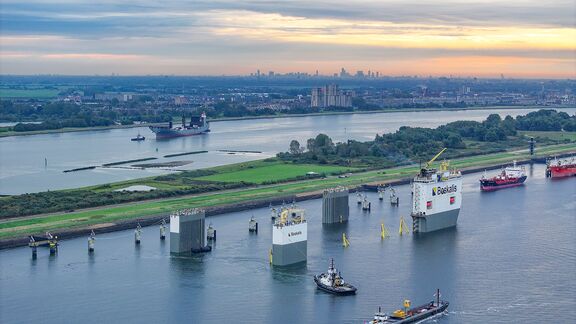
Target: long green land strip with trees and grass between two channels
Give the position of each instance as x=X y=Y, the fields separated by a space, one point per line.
x=300 y=173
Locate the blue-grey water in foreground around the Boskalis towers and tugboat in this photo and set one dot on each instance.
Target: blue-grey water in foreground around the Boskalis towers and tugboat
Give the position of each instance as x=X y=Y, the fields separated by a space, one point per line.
x=511 y=258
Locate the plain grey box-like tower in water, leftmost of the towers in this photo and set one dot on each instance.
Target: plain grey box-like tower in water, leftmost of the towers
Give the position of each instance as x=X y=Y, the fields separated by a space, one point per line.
x=187 y=232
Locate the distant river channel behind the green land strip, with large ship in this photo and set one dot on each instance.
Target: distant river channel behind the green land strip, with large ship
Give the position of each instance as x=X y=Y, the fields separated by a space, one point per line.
x=22 y=158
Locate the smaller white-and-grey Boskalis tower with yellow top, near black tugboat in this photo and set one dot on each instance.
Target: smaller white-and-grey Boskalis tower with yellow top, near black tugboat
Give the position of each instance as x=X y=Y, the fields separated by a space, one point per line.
x=289 y=238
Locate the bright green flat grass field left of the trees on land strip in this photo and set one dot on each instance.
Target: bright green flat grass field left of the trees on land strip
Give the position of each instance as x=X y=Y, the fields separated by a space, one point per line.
x=274 y=172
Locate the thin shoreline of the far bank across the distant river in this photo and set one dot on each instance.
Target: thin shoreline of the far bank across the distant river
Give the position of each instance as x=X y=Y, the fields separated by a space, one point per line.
x=223 y=119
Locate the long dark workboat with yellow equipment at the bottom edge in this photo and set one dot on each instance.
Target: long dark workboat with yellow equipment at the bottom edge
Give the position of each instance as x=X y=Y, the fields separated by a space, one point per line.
x=412 y=315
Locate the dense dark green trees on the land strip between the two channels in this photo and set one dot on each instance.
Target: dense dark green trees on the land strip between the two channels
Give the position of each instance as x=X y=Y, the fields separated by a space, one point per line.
x=409 y=144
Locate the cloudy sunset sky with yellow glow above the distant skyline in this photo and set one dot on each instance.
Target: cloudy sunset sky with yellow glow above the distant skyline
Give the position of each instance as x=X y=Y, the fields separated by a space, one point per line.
x=481 y=38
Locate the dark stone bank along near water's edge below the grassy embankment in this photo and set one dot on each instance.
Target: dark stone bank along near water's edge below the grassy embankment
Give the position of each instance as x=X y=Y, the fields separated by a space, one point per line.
x=154 y=219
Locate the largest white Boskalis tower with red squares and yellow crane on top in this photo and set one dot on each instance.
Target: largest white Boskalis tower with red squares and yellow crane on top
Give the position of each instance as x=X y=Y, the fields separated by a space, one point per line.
x=437 y=197
